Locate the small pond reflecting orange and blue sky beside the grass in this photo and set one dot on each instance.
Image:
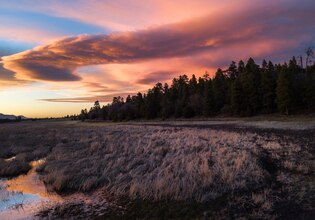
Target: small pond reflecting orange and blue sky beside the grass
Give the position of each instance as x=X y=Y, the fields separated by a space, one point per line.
x=25 y=195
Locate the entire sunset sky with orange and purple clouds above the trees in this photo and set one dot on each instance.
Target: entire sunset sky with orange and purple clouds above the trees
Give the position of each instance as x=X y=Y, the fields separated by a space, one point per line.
x=58 y=57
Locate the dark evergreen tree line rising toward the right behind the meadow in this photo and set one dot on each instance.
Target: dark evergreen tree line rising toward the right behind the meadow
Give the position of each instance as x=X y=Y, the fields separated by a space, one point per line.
x=243 y=89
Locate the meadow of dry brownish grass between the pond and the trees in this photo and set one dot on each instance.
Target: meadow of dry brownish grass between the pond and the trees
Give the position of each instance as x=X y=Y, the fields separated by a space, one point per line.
x=184 y=169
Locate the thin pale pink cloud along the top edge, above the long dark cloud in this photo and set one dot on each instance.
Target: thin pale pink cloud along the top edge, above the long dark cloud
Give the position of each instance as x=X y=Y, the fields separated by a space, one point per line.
x=122 y=15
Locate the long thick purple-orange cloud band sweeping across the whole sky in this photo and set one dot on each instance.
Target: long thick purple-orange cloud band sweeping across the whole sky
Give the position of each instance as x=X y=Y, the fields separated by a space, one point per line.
x=257 y=30
